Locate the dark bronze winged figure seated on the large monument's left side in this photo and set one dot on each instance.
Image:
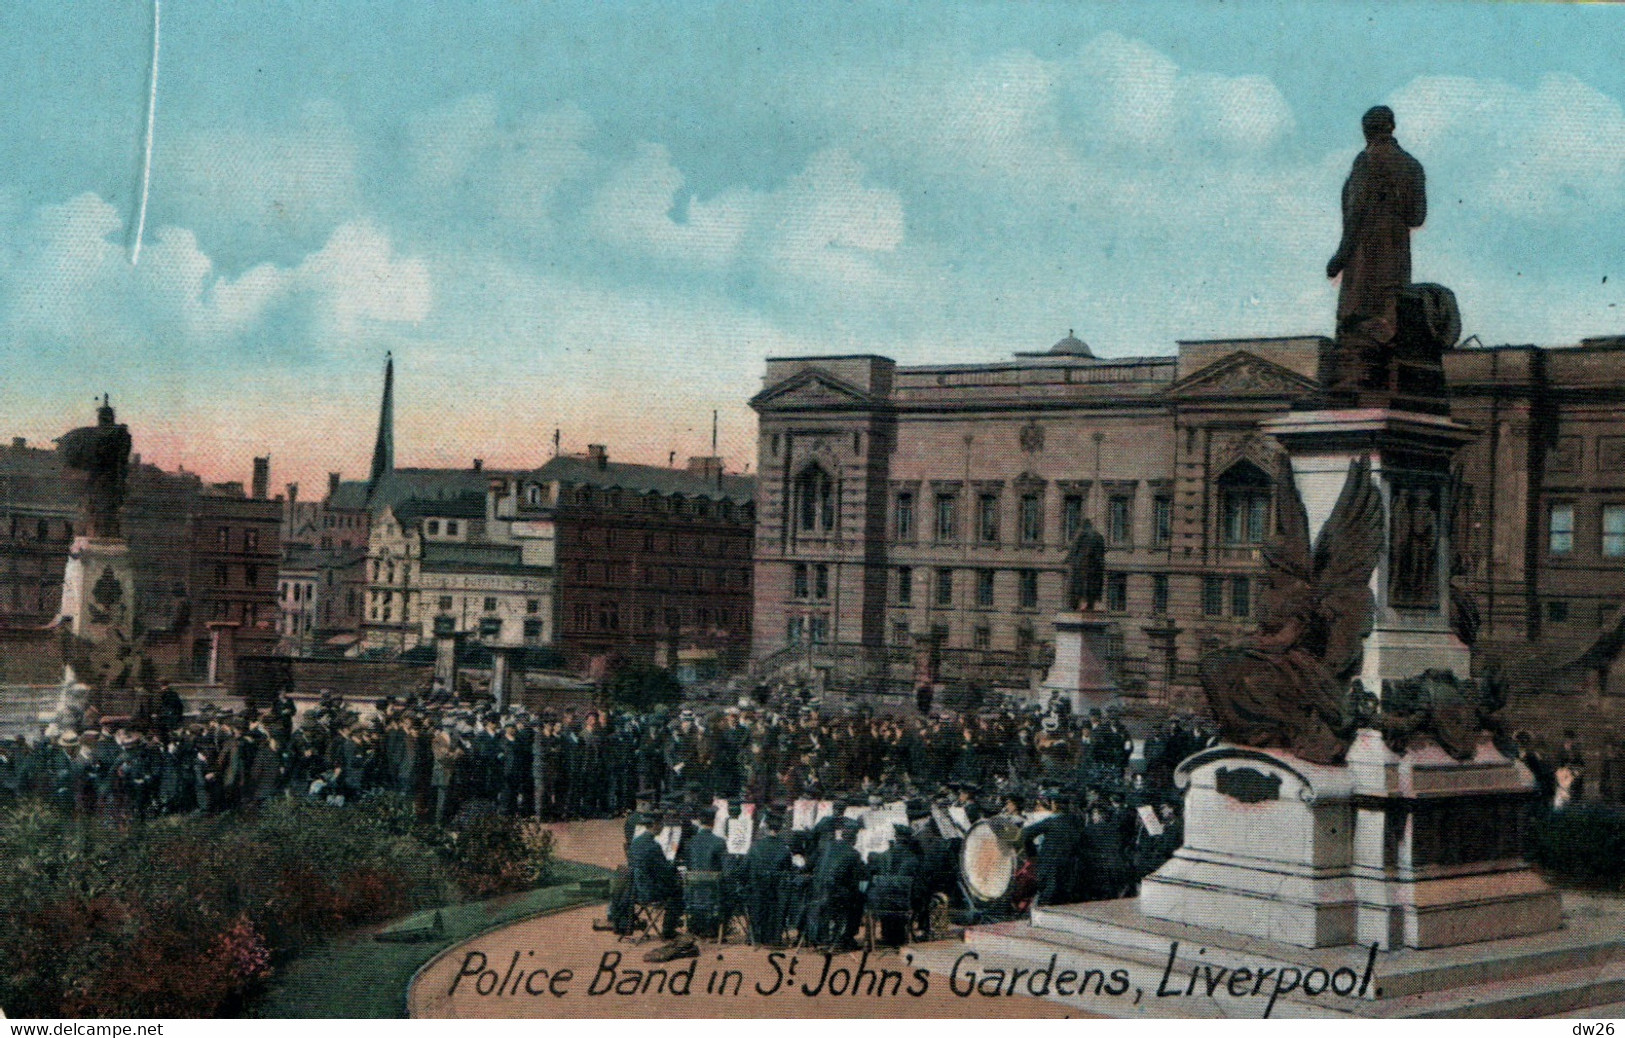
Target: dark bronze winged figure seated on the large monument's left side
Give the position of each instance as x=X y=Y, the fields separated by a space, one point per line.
x=1288 y=686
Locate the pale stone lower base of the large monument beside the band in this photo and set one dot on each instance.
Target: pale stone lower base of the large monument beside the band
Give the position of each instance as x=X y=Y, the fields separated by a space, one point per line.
x=1411 y=850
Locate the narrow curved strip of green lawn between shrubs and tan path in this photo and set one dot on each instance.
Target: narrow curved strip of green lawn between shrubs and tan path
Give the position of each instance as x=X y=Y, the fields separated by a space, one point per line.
x=357 y=977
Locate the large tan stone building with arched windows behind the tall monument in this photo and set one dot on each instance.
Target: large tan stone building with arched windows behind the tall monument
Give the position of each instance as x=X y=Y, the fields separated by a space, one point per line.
x=912 y=511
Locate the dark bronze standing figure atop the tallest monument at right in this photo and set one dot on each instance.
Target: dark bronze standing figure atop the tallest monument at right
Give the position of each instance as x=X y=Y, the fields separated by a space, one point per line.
x=1382 y=201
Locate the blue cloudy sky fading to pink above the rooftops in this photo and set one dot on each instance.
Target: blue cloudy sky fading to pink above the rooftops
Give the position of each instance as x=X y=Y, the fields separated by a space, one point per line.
x=602 y=218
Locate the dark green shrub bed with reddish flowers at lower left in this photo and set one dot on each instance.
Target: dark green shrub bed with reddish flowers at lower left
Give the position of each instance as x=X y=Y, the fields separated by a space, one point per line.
x=188 y=917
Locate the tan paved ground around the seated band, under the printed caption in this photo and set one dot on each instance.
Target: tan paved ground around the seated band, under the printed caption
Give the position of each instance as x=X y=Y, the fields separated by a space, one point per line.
x=482 y=979
